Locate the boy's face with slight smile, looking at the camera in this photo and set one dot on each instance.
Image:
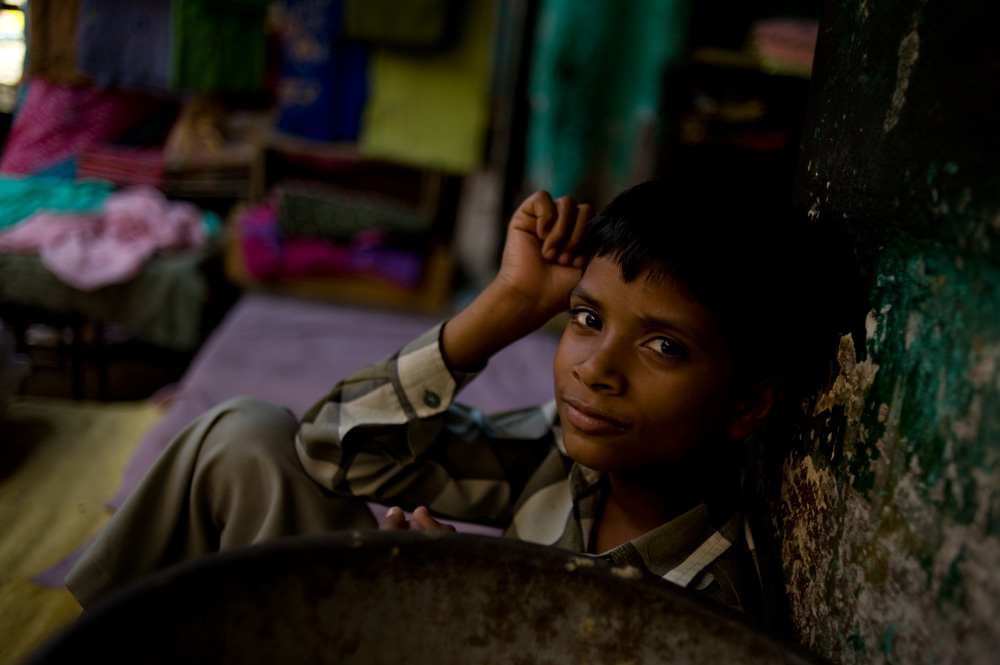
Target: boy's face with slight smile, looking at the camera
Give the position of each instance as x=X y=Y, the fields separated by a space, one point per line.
x=643 y=377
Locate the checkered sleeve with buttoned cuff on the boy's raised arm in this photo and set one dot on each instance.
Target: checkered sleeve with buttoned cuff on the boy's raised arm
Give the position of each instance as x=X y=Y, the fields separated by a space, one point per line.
x=391 y=432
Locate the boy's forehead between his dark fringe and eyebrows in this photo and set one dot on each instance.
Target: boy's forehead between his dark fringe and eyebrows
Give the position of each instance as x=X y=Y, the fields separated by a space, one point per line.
x=649 y=302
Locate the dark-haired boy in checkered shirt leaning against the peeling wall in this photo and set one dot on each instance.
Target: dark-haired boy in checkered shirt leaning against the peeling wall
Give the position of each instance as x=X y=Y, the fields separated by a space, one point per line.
x=661 y=371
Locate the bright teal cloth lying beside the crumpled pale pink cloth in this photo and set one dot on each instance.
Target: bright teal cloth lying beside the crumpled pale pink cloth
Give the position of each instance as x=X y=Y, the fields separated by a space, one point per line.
x=22 y=197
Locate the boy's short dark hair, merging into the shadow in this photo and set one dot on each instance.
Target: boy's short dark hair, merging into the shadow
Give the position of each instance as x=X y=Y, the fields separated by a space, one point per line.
x=731 y=248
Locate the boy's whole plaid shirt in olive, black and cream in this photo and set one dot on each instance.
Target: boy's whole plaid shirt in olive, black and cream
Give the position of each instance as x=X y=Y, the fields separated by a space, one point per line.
x=391 y=433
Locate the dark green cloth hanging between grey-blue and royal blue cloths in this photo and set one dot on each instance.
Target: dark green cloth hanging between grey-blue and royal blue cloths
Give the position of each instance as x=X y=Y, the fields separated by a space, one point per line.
x=219 y=45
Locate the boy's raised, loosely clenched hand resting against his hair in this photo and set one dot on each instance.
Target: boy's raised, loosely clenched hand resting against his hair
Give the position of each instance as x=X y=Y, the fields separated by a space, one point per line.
x=540 y=262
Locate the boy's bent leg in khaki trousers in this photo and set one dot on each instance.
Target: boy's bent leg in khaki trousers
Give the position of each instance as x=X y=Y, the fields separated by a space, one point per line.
x=231 y=478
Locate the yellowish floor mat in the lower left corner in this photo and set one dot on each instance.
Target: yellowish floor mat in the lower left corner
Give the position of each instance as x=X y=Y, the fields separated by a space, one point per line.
x=59 y=462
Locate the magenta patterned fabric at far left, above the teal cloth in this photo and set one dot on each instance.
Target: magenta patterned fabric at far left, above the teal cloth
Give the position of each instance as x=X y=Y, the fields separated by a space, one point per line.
x=57 y=122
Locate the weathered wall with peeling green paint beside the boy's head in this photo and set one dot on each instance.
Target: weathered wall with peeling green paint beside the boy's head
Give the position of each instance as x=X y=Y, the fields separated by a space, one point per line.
x=887 y=510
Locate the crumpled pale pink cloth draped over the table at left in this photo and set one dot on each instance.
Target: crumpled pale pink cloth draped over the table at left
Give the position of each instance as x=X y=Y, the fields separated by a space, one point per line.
x=94 y=250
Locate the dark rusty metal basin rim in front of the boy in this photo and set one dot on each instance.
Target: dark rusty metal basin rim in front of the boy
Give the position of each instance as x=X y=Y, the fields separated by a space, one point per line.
x=402 y=597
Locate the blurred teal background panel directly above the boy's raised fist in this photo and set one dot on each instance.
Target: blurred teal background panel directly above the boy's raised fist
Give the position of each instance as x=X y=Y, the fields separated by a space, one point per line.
x=594 y=90
